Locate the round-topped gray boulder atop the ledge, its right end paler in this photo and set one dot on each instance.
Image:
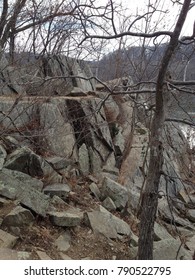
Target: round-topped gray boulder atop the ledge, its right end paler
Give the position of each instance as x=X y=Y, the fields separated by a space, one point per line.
x=46 y=70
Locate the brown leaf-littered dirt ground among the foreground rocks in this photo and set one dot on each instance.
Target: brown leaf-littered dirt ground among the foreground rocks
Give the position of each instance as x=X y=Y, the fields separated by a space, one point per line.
x=84 y=243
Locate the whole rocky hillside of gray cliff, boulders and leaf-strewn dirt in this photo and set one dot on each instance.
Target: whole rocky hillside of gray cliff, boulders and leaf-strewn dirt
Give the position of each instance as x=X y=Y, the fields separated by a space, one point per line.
x=73 y=163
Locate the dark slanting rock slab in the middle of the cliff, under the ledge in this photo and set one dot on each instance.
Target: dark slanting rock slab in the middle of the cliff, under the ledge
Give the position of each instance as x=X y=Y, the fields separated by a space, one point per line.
x=94 y=130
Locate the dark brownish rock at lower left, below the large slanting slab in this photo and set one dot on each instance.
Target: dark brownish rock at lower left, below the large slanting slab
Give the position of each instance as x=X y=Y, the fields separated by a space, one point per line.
x=19 y=216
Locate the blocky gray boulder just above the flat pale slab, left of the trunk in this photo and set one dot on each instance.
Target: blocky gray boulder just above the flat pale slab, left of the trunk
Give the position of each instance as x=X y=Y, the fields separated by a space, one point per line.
x=115 y=191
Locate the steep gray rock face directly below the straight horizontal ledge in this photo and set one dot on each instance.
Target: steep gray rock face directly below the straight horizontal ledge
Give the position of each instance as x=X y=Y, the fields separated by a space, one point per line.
x=60 y=126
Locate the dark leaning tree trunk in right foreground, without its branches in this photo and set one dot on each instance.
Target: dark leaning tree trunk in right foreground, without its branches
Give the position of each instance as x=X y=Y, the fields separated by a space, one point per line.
x=150 y=193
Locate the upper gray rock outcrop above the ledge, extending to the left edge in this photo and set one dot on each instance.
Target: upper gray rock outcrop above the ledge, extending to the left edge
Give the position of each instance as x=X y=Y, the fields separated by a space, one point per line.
x=45 y=76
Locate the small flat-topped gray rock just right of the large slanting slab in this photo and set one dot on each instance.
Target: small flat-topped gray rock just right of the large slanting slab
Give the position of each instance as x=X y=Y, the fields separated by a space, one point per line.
x=60 y=190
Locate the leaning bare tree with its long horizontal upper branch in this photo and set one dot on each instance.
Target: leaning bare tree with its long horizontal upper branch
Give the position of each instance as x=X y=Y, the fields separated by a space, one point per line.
x=150 y=193
